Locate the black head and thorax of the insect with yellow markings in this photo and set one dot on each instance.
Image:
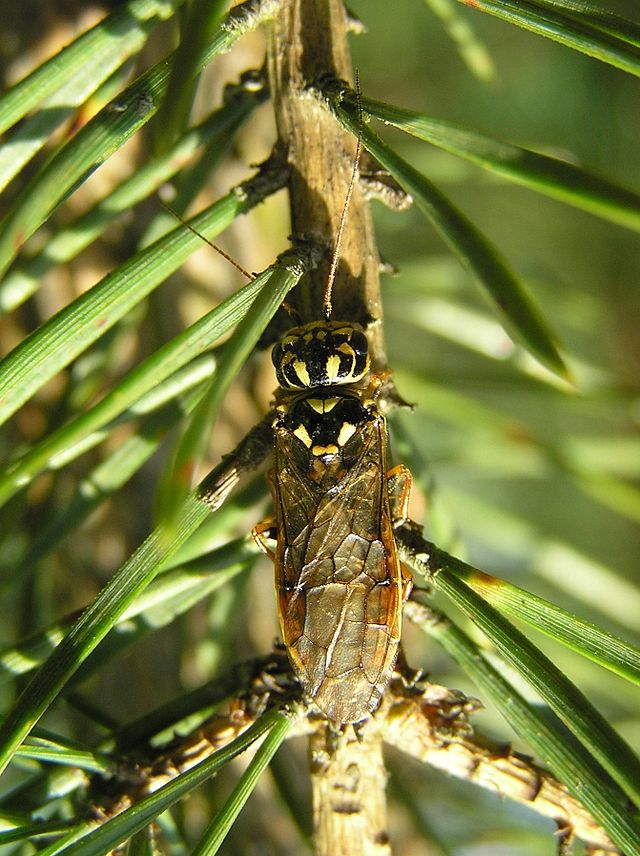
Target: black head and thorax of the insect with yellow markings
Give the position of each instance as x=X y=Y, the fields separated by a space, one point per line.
x=321 y=368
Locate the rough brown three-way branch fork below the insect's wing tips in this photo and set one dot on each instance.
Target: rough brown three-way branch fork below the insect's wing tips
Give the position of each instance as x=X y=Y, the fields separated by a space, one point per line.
x=429 y=722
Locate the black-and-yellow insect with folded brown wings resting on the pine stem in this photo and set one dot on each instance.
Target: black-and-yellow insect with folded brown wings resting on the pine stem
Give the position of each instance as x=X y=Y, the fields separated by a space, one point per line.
x=340 y=586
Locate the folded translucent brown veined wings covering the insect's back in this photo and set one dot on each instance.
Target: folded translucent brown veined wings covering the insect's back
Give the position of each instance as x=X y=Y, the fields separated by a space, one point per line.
x=337 y=572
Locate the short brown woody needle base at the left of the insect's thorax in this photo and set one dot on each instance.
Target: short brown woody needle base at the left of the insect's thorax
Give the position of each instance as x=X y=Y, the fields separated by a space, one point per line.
x=246 y=457
